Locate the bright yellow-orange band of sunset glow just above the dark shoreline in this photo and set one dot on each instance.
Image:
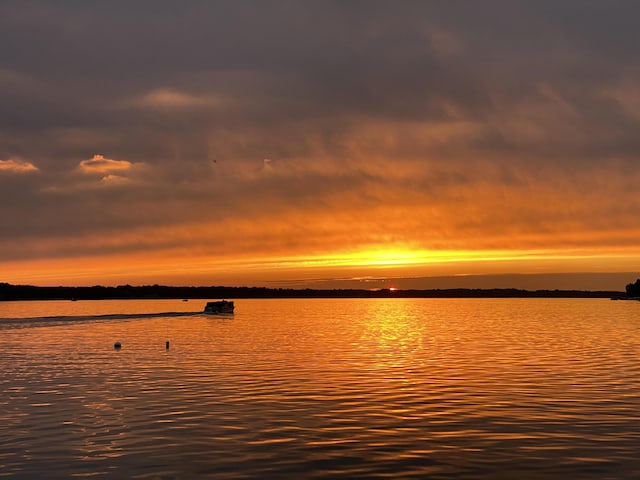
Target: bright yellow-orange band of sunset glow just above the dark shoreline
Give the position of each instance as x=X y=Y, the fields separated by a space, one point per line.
x=176 y=268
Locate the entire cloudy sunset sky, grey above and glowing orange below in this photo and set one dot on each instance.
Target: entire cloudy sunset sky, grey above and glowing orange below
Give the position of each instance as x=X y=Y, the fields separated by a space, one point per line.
x=298 y=143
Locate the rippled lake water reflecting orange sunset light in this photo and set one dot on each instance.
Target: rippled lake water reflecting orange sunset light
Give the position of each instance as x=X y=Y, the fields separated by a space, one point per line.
x=400 y=388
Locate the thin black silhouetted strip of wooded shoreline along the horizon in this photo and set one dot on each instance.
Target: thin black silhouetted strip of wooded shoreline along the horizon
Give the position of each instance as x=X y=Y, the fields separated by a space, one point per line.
x=29 y=292
